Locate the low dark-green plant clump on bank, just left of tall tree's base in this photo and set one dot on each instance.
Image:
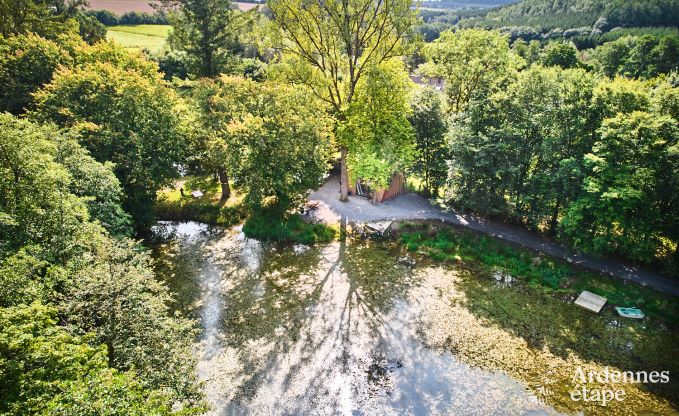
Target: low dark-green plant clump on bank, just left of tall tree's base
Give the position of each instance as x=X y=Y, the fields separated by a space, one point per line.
x=269 y=226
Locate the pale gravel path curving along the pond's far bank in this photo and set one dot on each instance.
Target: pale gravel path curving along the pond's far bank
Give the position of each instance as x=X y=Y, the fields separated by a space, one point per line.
x=411 y=206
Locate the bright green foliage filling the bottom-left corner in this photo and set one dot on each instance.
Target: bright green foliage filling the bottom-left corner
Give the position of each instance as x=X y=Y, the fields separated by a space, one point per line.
x=45 y=371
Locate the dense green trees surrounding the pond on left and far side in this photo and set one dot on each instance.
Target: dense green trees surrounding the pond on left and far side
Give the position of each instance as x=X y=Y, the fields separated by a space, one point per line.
x=579 y=144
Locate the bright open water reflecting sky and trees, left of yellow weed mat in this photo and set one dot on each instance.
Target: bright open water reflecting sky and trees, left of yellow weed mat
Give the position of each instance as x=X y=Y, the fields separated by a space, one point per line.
x=319 y=330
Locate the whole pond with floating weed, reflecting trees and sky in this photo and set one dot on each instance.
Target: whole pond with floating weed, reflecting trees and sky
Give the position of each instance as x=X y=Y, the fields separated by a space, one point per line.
x=362 y=327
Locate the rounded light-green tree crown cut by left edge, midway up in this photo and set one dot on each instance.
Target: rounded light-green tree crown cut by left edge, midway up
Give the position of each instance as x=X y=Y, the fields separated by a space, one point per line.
x=34 y=192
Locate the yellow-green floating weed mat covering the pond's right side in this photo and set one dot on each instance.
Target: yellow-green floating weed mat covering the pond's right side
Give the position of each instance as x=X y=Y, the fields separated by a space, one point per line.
x=543 y=341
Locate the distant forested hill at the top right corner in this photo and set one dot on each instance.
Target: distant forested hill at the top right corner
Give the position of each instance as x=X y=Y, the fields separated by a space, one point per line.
x=567 y=14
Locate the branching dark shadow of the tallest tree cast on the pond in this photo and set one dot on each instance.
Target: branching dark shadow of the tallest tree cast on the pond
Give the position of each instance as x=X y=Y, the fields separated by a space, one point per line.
x=306 y=314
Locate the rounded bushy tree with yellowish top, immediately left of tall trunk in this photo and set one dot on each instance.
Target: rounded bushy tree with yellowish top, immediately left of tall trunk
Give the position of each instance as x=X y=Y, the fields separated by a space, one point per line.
x=274 y=139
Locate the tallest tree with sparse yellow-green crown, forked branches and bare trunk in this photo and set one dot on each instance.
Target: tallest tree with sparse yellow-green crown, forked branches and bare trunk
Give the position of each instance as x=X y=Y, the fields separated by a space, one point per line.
x=333 y=43
